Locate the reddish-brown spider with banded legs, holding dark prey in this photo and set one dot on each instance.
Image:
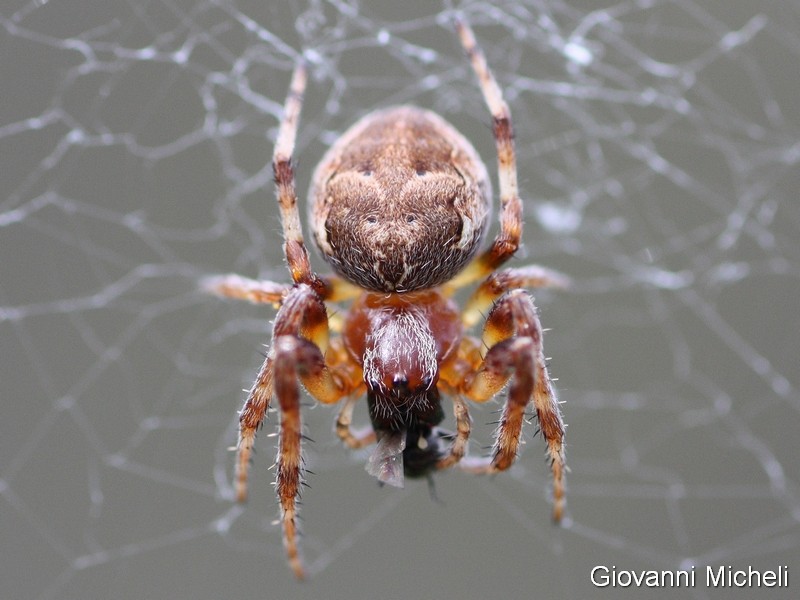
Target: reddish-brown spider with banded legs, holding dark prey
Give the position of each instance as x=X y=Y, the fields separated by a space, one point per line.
x=399 y=206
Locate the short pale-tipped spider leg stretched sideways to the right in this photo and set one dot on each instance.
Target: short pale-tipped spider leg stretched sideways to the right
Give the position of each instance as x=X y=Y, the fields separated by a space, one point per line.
x=500 y=282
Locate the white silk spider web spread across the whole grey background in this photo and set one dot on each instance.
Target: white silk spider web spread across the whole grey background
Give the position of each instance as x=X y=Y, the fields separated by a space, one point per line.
x=658 y=150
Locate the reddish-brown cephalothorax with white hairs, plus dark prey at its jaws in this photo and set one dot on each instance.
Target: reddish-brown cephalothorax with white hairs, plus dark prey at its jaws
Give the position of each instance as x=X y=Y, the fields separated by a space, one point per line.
x=400 y=342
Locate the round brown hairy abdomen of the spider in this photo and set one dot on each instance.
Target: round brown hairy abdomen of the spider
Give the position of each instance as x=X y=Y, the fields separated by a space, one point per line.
x=400 y=202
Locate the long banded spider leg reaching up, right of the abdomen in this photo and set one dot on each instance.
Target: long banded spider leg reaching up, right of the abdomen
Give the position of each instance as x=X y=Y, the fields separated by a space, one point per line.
x=507 y=240
